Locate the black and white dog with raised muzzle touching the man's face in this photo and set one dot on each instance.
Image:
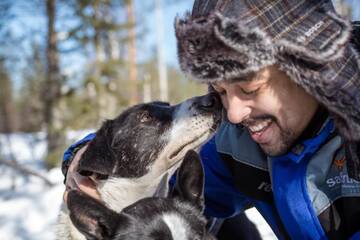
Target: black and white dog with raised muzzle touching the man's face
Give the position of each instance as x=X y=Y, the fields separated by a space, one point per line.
x=145 y=144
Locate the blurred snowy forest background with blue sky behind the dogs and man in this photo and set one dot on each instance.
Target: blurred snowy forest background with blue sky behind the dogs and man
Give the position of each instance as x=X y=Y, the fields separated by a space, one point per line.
x=66 y=66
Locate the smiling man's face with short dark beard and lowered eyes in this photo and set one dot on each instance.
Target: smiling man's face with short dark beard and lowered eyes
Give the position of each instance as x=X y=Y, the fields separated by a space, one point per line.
x=273 y=108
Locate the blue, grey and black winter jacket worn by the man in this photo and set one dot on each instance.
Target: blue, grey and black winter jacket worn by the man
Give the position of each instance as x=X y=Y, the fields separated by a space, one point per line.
x=305 y=194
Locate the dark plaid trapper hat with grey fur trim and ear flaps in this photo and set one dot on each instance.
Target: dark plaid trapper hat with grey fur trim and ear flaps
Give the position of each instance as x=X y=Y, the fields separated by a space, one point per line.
x=225 y=40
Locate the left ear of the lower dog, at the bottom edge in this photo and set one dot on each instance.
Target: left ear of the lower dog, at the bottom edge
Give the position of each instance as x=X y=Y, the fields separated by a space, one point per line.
x=92 y=218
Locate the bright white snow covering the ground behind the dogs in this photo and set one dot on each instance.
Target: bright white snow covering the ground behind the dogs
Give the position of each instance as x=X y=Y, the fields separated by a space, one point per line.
x=29 y=211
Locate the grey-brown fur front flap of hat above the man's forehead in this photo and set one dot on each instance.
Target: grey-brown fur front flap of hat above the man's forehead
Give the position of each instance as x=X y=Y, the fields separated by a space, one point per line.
x=214 y=49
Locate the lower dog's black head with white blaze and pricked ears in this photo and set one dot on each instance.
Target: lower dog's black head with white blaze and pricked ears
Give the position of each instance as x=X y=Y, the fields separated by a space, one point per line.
x=176 y=217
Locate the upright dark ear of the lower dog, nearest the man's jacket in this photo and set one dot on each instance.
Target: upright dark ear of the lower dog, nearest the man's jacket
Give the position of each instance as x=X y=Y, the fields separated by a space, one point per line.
x=190 y=180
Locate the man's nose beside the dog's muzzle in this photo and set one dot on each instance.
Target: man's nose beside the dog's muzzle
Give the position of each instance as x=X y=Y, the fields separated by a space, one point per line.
x=237 y=110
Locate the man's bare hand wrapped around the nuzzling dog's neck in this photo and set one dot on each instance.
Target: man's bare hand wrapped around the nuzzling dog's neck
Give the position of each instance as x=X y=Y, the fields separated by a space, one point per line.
x=75 y=181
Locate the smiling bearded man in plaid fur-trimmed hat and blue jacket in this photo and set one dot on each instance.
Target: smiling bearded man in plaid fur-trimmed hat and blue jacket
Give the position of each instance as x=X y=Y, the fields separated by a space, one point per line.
x=289 y=80
